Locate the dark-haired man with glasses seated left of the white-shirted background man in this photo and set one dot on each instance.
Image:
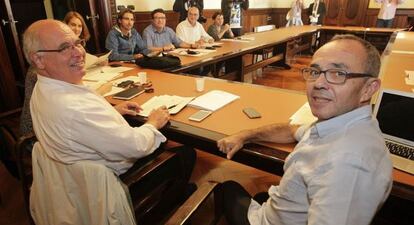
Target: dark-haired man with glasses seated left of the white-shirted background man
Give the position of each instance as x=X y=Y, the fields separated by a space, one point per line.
x=158 y=37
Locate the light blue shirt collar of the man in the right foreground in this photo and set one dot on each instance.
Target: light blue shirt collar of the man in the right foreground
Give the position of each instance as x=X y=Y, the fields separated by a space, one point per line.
x=327 y=127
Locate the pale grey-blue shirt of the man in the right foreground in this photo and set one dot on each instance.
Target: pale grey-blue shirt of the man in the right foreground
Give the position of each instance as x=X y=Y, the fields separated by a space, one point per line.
x=339 y=173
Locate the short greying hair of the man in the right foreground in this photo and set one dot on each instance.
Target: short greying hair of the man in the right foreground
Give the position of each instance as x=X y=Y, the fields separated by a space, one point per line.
x=373 y=58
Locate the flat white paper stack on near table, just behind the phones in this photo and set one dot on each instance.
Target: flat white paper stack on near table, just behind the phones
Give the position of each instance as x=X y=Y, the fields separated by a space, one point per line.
x=213 y=100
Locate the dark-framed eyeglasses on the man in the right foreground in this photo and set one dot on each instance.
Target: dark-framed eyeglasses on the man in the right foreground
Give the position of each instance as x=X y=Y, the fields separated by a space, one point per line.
x=333 y=76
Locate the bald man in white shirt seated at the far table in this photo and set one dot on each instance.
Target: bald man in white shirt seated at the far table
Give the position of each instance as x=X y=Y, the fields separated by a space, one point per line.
x=191 y=31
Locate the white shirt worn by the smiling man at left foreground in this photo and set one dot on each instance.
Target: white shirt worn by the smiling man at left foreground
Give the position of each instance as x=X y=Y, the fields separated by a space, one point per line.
x=73 y=123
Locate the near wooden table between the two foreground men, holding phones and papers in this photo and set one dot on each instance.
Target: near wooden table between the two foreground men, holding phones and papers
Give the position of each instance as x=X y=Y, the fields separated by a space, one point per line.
x=275 y=106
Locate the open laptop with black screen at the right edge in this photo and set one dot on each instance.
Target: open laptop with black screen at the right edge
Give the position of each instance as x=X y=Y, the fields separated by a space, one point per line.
x=394 y=111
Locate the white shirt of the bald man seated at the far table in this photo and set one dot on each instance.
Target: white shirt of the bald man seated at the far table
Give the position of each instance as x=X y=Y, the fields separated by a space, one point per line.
x=190 y=34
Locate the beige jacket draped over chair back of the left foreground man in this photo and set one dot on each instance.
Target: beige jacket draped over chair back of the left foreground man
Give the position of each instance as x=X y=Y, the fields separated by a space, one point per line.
x=84 y=192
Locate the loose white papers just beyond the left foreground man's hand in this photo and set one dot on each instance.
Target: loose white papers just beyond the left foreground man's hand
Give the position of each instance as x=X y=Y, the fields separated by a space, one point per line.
x=176 y=102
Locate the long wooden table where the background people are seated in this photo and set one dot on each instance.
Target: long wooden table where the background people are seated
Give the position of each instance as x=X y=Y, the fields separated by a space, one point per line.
x=232 y=51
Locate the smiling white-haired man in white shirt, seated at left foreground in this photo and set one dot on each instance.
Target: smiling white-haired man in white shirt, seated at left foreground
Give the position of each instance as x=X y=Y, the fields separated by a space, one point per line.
x=71 y=122
